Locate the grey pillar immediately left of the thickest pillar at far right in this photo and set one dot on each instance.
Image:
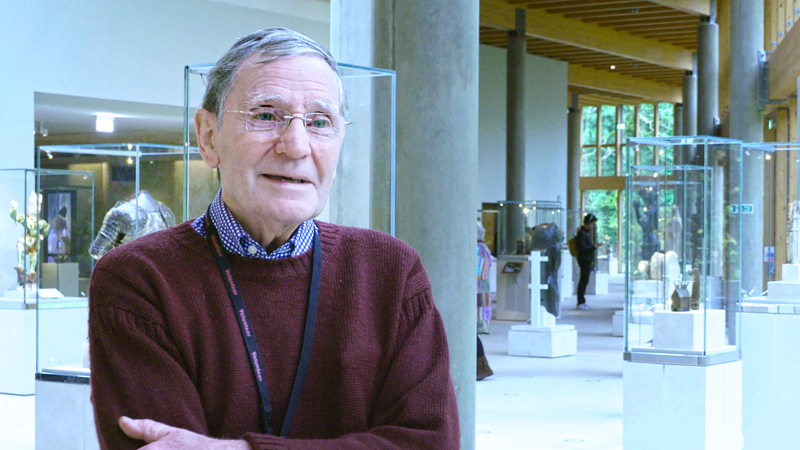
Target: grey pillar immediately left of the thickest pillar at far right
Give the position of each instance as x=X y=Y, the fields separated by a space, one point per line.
x=707 y=78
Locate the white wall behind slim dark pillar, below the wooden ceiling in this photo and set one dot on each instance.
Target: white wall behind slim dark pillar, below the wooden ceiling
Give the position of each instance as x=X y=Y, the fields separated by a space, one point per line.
x=546 y=130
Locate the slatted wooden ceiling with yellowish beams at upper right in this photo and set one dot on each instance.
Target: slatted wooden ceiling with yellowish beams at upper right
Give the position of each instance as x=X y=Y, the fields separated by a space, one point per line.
x=618 y=50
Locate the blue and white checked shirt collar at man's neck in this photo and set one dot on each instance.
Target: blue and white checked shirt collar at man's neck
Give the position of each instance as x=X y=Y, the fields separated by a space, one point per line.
x=236 y=240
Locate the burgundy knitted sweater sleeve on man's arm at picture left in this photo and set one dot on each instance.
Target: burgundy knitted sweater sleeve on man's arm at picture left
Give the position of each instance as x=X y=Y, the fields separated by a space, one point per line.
x=136 y=369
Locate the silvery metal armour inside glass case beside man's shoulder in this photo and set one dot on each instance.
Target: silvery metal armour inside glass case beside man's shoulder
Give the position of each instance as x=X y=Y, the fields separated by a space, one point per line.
x=142 y=213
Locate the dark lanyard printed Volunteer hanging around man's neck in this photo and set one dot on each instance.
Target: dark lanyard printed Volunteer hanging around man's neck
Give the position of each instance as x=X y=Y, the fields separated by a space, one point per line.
x=212 y=235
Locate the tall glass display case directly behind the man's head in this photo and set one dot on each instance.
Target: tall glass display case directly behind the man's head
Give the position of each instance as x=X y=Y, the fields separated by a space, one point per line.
x=363 y=192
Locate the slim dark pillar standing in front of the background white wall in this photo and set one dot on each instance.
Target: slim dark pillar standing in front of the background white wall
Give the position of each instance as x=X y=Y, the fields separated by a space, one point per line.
x=515 y=131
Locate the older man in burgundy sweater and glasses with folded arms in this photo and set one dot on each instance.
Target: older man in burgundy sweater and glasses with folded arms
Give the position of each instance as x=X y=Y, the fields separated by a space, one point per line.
x=255 y=326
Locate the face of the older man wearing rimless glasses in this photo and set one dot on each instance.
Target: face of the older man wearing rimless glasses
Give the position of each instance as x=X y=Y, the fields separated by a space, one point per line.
x=285 y=176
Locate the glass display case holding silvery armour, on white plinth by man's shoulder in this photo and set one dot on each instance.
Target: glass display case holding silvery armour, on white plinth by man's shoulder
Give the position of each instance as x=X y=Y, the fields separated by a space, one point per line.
x=96 y=197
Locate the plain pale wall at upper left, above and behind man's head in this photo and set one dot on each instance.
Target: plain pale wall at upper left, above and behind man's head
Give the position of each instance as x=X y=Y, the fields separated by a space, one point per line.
x=130 y=50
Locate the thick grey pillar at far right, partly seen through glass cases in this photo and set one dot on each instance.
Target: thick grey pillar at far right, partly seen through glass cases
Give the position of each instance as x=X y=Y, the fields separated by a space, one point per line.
x=747 y=39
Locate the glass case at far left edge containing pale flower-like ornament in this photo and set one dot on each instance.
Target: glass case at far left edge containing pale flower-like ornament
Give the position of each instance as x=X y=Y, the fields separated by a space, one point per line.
x=51 y=218
